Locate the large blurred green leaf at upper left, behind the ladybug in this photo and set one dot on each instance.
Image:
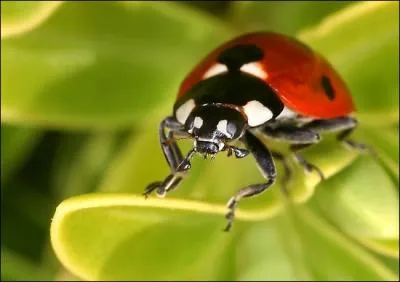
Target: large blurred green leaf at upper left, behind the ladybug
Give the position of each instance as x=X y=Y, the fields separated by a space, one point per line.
x=96 y=65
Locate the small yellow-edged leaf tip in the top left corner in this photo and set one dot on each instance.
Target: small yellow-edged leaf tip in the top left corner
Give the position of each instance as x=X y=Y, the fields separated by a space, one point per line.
x=18 y=17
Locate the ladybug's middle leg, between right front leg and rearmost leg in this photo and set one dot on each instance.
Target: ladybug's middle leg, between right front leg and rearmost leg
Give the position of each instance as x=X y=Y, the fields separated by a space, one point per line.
x=300 y=138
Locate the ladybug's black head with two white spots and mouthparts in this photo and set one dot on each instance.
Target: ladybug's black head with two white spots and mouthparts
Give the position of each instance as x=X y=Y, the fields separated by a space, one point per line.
x=213 y=126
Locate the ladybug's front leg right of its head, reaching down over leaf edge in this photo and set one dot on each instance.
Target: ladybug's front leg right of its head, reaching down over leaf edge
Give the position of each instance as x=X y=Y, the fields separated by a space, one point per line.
x=265 y=162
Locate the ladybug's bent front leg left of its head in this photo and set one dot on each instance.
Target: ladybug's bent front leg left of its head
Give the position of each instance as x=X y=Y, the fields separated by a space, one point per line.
x=173 y=155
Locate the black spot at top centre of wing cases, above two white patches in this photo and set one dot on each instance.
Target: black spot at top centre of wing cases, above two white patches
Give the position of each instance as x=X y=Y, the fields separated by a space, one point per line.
x=238 y=55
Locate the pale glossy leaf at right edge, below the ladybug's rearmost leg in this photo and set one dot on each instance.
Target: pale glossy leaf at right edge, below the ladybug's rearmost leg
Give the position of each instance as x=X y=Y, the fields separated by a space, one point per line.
x=363 y=202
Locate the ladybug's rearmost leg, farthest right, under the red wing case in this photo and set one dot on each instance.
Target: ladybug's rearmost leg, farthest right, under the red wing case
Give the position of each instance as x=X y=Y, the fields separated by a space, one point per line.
x=344 y=125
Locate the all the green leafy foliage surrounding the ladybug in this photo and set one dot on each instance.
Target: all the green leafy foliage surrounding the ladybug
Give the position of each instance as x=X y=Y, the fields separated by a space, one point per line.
x=84 y=86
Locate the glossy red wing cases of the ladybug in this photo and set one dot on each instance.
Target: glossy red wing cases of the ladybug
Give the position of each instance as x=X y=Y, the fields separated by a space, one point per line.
x=293 y=70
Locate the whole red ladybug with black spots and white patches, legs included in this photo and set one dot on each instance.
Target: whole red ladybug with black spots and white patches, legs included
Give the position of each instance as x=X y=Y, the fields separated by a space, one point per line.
x=257 y=83
